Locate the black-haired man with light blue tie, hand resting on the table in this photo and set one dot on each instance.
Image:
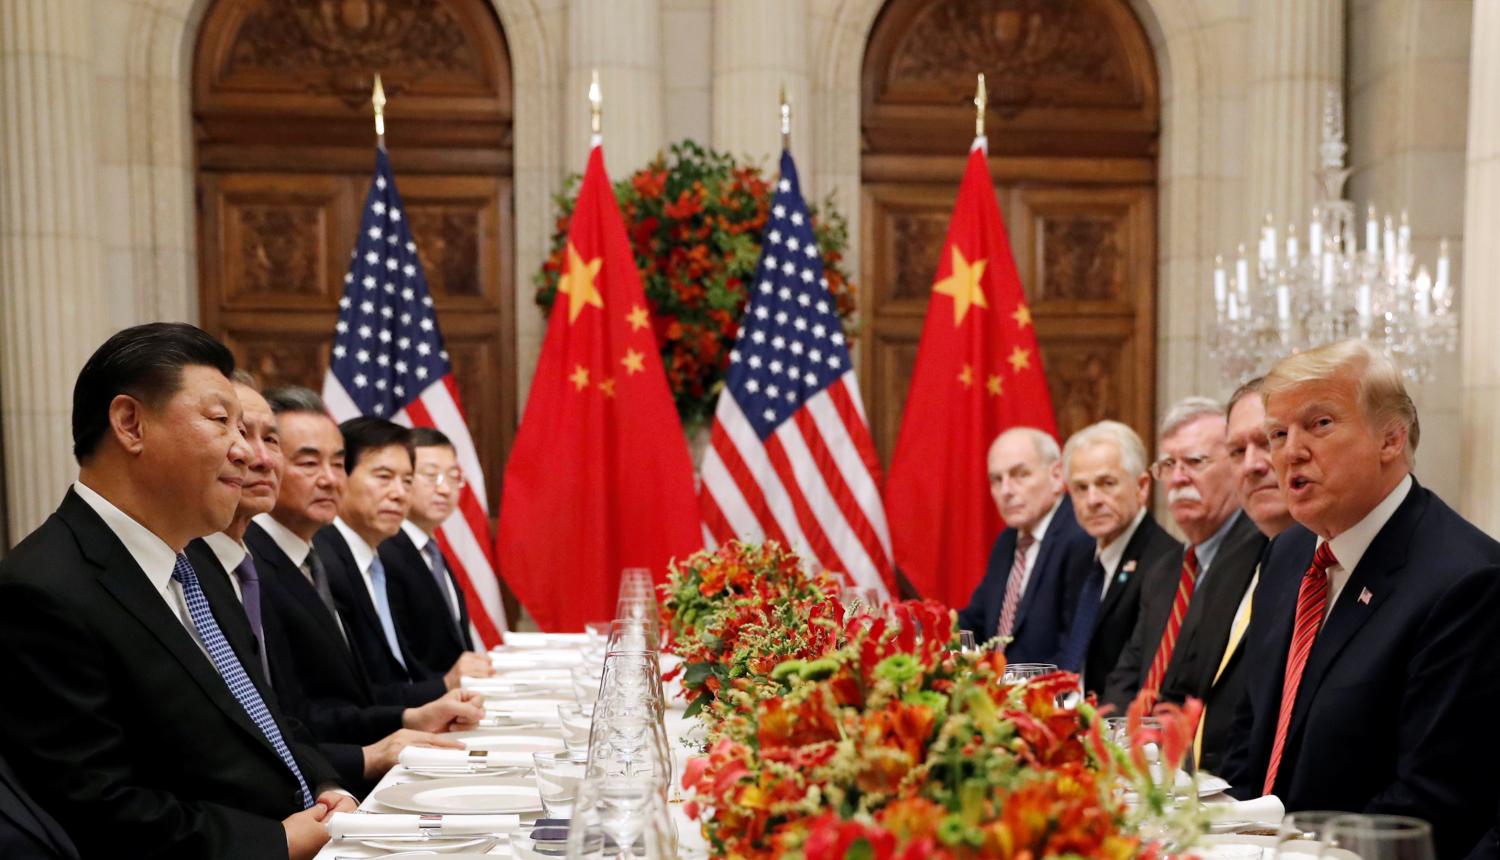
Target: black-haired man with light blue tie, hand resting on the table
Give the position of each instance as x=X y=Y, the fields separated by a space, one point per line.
x=379 y=468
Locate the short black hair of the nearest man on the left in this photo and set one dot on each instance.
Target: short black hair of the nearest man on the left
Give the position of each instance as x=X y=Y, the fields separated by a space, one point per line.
x=145 y=362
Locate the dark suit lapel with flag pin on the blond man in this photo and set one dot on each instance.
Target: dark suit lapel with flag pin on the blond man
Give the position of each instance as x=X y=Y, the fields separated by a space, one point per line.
x=1378 y=576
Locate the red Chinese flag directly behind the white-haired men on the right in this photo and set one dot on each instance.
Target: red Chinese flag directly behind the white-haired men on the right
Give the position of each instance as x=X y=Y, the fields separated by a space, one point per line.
x=977 y=373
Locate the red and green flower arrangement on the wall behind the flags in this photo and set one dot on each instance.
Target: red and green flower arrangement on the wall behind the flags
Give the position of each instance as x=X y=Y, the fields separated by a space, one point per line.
x=695 y=221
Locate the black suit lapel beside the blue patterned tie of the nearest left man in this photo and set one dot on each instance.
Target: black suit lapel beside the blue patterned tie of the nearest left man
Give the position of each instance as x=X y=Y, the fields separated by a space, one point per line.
x=124 y=579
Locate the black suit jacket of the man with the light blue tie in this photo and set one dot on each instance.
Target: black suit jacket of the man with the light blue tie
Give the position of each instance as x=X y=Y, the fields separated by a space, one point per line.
x=364 y=625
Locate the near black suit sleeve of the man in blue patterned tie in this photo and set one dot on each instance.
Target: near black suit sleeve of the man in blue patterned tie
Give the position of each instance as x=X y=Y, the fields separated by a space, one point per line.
x=80 y=753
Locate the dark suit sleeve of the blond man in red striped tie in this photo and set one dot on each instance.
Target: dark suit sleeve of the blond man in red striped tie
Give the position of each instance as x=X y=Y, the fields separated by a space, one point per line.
x=1445 y=769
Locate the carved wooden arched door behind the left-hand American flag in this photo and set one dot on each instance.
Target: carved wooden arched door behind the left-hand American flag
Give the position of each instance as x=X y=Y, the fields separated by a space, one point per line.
x=286 y=155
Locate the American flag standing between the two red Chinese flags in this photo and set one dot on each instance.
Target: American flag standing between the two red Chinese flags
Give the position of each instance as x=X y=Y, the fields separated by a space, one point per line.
x=791 y=456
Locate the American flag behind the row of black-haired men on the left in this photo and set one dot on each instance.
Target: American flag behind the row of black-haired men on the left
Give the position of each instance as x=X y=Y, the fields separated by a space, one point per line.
x=389 y=361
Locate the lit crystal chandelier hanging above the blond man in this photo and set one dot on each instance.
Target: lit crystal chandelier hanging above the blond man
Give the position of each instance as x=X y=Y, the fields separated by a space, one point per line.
x=1288 y=299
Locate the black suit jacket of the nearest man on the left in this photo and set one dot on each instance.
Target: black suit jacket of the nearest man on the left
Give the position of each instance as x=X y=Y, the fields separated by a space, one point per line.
x=119 y=723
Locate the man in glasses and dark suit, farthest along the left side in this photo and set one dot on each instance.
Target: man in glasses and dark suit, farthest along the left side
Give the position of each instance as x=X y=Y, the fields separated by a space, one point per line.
x=425 y=597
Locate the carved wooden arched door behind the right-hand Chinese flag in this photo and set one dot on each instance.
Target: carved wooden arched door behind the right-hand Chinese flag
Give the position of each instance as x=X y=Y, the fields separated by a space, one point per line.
x=1073 y=124
